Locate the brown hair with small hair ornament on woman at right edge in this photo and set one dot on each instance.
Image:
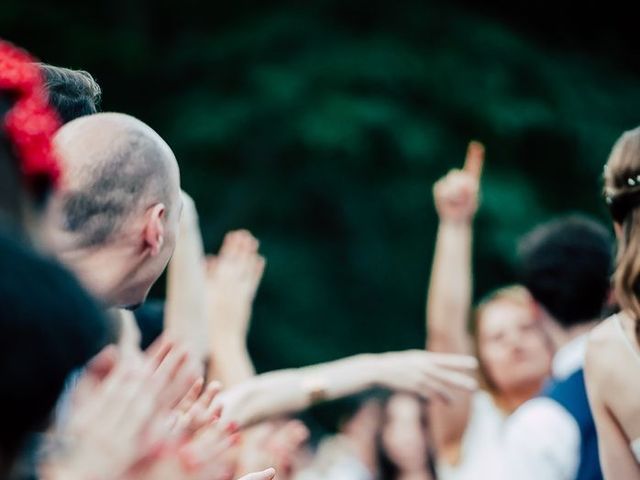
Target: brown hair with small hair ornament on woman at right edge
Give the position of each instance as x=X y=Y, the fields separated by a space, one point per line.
x=622 y=190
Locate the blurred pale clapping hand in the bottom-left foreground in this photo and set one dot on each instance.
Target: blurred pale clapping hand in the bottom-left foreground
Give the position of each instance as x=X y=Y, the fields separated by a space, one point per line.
x=115 y=421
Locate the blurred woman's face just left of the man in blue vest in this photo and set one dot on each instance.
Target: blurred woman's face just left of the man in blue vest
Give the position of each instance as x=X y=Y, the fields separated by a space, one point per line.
x=513 y=347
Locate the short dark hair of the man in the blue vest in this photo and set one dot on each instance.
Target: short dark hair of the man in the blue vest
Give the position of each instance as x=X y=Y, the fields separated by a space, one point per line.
x=566 y=265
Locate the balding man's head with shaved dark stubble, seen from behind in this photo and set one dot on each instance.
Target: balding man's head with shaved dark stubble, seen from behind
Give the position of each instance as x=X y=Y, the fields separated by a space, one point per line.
x=120 y=190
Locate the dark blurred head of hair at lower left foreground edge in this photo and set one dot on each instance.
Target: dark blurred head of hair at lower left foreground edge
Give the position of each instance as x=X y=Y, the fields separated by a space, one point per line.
x=49 y=326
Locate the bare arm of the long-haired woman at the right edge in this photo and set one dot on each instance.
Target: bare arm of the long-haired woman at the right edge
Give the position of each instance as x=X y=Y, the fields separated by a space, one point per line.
x=616 y=458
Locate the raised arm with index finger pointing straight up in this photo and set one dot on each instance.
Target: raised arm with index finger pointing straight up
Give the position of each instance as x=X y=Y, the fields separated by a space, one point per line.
x=450 y=290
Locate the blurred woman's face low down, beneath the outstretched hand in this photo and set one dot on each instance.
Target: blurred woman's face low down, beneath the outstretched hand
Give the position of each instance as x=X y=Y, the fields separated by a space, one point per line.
x=404 y=434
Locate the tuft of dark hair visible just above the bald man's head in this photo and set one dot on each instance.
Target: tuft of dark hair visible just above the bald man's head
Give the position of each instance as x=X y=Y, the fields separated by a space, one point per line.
x=73 y=93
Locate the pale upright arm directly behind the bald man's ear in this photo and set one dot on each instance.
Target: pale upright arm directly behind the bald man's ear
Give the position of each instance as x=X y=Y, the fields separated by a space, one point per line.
x=185 y=310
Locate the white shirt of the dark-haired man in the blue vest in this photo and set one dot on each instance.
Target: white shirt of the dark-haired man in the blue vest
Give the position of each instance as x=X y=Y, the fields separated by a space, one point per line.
x=541 y=439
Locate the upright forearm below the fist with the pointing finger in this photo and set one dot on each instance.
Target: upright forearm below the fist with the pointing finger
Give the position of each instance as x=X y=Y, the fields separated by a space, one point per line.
x=450 y=288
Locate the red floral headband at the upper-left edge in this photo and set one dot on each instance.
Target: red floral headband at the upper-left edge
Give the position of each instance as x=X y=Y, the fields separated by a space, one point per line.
x=31 y=122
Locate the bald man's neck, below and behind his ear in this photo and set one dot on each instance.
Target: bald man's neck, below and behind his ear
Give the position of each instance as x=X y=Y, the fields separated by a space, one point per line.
x=104 y=271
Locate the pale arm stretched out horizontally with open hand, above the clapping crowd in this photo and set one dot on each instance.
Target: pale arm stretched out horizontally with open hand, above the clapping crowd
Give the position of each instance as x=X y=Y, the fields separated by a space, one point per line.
x=278 y=393
